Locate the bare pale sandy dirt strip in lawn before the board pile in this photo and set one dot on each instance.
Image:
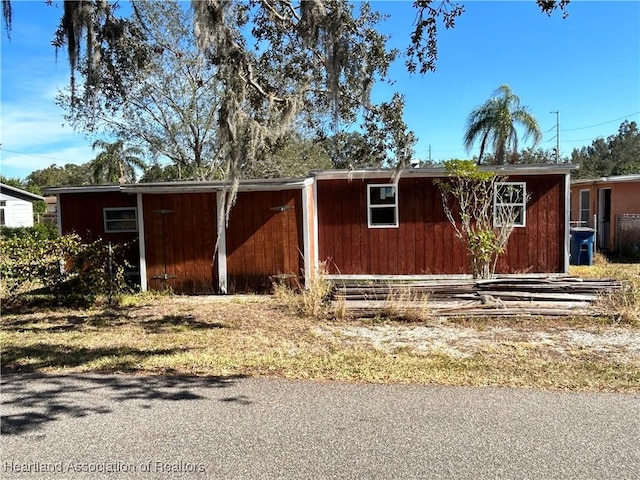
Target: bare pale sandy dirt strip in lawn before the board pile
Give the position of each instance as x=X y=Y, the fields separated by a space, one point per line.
x=464 y=338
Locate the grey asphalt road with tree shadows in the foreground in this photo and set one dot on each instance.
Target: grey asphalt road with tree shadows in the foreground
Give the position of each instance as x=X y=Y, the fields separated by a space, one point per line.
x=127 y=427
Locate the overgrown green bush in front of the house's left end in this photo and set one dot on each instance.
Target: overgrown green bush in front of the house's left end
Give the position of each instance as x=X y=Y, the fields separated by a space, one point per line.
x=64 y=268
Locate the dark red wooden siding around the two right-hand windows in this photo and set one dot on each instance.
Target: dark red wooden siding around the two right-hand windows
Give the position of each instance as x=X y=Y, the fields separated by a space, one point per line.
x=425 y=242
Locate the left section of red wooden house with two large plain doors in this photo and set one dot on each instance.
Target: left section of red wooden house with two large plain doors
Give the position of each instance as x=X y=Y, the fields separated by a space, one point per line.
x=172 y=230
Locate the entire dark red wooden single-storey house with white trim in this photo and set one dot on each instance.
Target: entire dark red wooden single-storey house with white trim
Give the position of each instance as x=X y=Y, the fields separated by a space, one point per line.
x=361 y=224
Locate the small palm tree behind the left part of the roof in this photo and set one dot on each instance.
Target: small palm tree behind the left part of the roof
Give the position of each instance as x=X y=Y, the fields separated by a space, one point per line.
x=116 y=164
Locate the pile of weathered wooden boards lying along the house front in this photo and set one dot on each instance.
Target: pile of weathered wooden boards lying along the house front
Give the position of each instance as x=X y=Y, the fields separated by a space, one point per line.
x=508 y=295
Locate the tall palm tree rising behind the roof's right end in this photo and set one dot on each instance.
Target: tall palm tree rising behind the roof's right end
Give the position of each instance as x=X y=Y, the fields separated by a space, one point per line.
x=494 y=122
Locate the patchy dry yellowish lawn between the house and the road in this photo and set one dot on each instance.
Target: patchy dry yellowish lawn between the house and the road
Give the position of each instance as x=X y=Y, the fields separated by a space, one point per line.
x=258 y=336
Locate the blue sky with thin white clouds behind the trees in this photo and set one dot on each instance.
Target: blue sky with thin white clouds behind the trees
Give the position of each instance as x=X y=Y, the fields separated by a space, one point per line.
x=586 y=66
